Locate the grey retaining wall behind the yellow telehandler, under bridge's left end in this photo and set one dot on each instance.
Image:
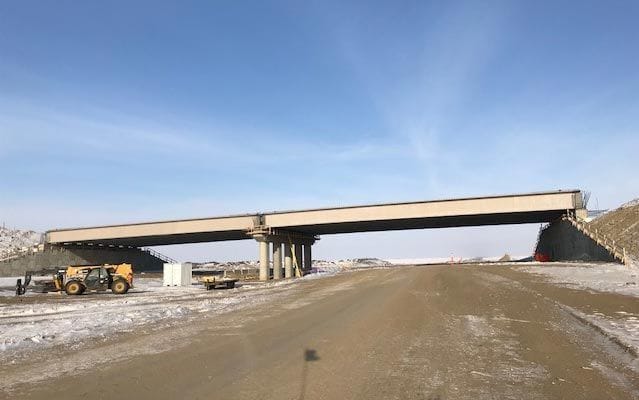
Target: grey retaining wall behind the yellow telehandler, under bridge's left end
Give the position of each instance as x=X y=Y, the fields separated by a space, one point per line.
x=56 y=256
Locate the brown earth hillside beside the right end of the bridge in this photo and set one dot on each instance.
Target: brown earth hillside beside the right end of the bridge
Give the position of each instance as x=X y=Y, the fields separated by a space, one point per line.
x=621 y=225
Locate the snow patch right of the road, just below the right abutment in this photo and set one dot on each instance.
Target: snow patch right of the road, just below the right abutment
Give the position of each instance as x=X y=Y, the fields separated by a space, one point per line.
x=615 y=278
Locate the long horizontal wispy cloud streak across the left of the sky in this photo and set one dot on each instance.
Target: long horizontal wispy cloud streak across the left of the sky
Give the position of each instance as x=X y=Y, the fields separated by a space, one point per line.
x=23 y=129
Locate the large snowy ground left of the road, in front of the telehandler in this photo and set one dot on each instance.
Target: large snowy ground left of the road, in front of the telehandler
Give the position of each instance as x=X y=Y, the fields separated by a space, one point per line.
x=57 y=319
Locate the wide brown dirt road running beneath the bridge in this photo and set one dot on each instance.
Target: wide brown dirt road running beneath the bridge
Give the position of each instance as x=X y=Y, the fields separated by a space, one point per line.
x=402 y=333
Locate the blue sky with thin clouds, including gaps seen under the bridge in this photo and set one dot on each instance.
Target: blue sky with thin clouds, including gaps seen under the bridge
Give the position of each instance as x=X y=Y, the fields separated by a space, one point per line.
x=130 y=111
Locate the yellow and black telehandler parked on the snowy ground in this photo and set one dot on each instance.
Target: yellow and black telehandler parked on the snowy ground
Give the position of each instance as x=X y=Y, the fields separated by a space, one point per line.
x=75 y=280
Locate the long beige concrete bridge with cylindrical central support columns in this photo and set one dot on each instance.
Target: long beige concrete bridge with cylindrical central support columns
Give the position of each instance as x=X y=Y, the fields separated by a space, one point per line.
x=297 y=231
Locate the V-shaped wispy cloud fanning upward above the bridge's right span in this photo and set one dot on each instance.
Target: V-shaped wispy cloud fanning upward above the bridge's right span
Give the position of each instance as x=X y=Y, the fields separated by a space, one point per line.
x=423 y=99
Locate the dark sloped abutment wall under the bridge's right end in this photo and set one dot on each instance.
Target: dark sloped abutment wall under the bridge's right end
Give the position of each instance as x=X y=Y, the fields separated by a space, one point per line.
x=561 y=241
